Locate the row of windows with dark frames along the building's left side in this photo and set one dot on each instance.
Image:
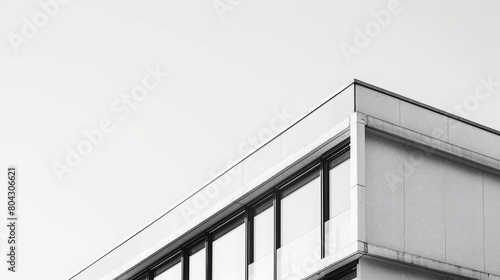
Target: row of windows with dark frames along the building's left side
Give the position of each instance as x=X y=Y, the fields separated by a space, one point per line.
x=282 y=234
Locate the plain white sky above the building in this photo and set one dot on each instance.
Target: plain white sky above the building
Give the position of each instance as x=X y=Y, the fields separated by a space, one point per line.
x=227 y=78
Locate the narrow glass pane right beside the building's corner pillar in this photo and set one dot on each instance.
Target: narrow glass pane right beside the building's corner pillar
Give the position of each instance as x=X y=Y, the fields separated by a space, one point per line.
x=338 y=227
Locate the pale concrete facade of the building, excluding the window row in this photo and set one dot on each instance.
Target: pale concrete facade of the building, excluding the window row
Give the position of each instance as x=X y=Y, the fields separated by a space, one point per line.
x=424 y=196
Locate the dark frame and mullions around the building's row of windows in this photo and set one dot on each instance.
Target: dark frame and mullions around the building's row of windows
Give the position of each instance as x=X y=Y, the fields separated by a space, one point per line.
x=245 y=215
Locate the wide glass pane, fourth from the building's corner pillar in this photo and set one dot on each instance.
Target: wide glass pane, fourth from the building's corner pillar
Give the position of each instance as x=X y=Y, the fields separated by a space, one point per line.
x=229 y=255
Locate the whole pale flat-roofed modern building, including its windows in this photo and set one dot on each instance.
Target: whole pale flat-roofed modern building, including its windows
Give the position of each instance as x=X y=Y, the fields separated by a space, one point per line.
x=369 y=185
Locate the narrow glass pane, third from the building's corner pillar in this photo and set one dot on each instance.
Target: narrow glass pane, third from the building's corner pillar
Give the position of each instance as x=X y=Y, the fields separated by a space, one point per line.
x=263 y=266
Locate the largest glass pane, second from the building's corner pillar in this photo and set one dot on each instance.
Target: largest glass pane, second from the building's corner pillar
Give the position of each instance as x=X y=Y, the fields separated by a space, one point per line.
x=300 y=229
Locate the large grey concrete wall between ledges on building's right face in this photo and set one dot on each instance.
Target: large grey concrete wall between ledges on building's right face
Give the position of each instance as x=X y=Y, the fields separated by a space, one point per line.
x=431 y=207
